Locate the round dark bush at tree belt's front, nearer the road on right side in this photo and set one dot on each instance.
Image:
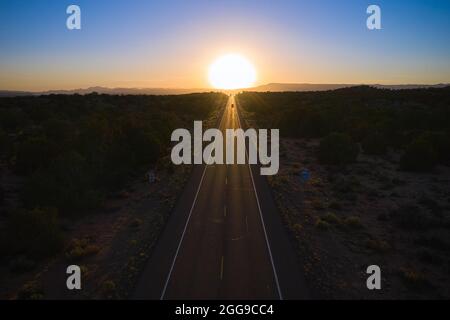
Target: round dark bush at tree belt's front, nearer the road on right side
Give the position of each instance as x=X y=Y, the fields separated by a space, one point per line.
x=337 y=148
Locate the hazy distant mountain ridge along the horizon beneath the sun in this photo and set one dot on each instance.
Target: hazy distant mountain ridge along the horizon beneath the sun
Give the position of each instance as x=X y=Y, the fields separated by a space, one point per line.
x=271 y=87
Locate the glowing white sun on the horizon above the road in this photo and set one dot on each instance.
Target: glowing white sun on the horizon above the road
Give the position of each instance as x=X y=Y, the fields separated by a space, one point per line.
x=232 y=71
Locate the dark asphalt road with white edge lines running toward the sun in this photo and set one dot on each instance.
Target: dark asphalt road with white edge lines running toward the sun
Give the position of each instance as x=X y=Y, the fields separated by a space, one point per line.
x=224 y=240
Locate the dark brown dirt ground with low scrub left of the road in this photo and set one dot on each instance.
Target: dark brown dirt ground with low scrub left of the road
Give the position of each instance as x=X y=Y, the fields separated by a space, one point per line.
x=110 y=246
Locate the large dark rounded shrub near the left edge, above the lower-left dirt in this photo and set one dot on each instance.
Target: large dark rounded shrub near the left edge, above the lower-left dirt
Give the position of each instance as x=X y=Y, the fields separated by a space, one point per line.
x=34 y=232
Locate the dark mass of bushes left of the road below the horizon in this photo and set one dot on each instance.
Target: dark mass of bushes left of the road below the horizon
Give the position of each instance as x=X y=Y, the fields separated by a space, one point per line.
x=72 y=150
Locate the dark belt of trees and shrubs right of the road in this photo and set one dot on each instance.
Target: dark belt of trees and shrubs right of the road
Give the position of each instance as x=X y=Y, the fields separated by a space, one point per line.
x=415 y=122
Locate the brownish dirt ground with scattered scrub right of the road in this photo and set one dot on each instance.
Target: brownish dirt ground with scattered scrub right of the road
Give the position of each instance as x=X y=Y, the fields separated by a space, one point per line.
x=343 y=220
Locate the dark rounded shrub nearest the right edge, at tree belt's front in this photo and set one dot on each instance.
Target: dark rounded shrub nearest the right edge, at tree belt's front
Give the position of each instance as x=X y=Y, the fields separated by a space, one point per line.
x=419 y=156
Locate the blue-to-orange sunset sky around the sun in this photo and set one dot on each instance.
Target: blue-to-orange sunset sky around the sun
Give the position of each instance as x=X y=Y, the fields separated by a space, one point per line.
x=172 y=43
